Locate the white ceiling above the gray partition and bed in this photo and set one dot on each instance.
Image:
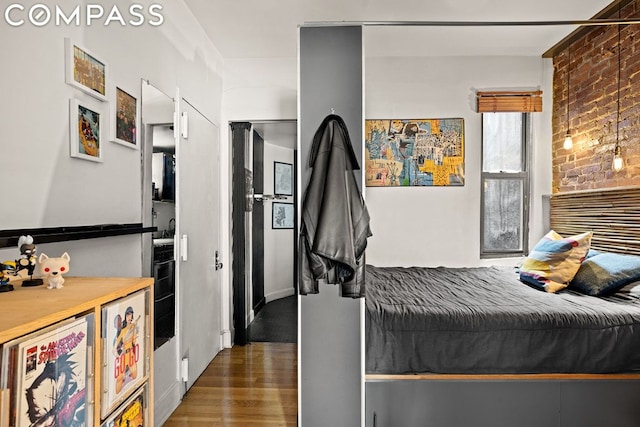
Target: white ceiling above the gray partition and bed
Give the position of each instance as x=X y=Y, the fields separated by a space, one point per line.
x=268 y=28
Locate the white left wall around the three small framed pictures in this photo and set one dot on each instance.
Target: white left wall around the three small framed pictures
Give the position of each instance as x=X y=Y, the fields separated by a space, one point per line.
x=47 y=186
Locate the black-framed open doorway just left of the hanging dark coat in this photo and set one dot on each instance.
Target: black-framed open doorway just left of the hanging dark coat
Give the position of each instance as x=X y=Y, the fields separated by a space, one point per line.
x=264 y=220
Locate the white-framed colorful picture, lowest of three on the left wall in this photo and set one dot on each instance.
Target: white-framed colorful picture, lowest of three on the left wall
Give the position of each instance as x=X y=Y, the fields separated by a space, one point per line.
x=87 y=124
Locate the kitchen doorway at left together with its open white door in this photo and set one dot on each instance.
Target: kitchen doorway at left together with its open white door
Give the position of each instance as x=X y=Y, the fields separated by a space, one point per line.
x=180 y=158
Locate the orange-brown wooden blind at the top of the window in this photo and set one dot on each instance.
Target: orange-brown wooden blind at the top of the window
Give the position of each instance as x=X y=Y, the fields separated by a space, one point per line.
x=506 y=102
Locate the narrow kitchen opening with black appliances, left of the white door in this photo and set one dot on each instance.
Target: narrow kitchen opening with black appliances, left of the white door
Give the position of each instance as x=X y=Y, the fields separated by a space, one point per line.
x=159 y=260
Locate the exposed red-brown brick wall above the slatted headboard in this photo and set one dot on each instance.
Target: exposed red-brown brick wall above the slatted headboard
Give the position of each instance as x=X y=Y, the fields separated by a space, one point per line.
x=592 y=98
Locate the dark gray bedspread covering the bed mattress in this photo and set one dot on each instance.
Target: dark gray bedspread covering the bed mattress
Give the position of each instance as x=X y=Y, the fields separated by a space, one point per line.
x=484 y=320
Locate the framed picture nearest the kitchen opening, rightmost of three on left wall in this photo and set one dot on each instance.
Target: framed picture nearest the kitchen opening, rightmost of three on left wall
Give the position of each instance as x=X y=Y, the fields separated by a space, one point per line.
x=125 y=120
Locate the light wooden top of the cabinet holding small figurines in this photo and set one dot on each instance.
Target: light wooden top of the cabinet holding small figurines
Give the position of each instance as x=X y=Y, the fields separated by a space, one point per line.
x=27 y=309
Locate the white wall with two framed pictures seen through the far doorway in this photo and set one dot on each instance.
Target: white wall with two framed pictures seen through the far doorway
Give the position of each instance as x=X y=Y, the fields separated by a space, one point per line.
x=278 y=244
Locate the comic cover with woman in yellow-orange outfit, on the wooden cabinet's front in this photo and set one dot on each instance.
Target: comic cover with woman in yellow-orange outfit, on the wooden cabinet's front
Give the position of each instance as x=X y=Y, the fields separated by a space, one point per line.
x=124 y=332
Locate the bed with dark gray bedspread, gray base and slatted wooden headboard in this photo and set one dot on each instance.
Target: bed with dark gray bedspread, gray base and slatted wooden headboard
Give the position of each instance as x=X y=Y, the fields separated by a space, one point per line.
x=477 y=346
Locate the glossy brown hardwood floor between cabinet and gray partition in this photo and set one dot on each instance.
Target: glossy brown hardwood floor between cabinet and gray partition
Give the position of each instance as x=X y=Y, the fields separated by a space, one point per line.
x=252 y=385
